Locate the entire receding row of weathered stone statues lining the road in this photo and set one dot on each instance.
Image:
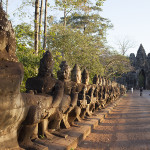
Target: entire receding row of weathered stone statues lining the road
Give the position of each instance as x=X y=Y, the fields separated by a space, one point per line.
x=49 y=103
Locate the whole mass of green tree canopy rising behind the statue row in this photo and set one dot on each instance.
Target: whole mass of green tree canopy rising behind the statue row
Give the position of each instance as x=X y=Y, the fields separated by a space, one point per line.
x=78 y=36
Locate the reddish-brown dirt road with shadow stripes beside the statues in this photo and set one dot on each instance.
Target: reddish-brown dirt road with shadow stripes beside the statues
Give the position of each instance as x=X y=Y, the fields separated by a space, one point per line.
x=127 y=127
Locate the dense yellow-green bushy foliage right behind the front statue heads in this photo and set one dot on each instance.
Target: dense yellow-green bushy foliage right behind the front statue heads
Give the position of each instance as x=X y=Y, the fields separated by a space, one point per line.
x=75 y=47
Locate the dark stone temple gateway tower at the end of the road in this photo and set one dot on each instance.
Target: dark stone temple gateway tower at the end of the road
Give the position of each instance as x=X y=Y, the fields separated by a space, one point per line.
x=140 y=76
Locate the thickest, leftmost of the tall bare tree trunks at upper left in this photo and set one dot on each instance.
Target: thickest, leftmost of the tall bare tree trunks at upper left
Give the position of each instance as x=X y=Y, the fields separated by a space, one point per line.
x=36 y=26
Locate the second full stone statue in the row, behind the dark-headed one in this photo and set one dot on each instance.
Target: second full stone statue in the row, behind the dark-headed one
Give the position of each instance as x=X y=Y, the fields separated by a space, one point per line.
x=70 y=109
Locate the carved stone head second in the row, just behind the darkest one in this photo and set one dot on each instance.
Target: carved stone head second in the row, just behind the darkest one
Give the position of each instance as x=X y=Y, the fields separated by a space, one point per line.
x=64 y=72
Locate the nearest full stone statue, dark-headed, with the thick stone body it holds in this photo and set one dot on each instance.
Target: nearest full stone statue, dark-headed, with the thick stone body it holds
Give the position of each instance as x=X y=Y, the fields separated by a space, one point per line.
x=44 y=105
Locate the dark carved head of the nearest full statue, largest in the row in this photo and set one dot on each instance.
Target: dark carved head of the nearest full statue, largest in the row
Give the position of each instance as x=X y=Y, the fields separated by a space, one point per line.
x=46 y=65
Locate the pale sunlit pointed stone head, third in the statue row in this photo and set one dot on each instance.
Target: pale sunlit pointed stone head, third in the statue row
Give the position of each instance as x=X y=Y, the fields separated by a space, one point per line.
x=76 y=74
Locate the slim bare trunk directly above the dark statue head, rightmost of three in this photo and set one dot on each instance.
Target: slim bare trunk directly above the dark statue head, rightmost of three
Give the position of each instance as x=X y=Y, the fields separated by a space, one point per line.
x=45 y=26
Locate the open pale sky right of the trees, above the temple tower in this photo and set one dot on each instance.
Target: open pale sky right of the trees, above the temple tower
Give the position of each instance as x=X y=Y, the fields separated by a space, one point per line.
x=131 y=20
